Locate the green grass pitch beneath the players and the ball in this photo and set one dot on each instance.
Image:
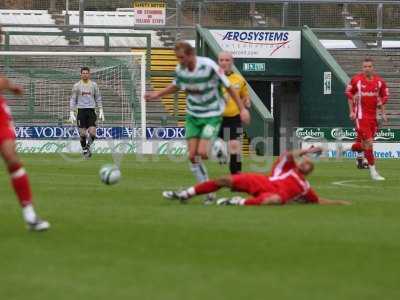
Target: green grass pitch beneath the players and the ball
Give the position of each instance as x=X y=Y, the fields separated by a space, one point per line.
x=126 y=242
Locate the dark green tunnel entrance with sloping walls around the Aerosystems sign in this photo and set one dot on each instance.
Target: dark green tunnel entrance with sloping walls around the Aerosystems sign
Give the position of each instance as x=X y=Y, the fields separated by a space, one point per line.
x=306 y=92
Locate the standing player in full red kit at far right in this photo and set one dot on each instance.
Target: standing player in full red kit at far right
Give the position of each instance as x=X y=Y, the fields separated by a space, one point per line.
x=366 y=93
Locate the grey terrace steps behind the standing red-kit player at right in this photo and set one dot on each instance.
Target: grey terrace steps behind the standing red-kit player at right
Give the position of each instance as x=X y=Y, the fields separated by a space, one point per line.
x=387 y=64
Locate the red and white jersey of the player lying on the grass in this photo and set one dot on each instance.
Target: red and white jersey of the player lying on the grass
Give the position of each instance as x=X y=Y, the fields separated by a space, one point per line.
x=289 y=182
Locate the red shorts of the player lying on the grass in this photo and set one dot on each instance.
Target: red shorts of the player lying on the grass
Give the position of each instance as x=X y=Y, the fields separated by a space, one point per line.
x=253 y=184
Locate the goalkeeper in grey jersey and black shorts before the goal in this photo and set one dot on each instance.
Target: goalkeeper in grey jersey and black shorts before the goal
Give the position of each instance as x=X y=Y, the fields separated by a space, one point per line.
x=85 y=96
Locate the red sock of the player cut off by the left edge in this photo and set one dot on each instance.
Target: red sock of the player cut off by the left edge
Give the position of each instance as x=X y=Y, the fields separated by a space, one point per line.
x=20 y=183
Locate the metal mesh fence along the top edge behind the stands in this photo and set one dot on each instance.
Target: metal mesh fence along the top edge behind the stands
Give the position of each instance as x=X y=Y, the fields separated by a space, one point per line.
x=313 y=13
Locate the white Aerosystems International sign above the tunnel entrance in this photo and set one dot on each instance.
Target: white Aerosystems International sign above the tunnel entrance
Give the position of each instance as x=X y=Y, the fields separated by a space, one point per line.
x=260 y=43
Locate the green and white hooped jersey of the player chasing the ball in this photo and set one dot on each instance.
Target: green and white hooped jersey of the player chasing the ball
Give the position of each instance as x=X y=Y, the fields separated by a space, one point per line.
x=203 y=86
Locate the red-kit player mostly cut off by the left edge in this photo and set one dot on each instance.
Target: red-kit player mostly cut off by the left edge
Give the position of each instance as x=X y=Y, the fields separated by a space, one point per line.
x=19 y=178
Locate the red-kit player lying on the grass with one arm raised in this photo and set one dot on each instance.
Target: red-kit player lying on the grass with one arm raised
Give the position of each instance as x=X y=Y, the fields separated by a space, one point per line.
x=286 y=183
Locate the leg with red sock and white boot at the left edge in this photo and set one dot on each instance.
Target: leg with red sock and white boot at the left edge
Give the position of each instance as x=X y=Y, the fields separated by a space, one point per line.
x=21 y=185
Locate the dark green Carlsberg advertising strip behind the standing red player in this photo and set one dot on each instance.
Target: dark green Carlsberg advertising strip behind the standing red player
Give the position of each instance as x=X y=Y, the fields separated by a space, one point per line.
x=343 y=134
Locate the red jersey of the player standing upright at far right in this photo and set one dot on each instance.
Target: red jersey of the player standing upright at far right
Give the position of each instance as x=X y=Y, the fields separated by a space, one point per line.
x=367 y=95
